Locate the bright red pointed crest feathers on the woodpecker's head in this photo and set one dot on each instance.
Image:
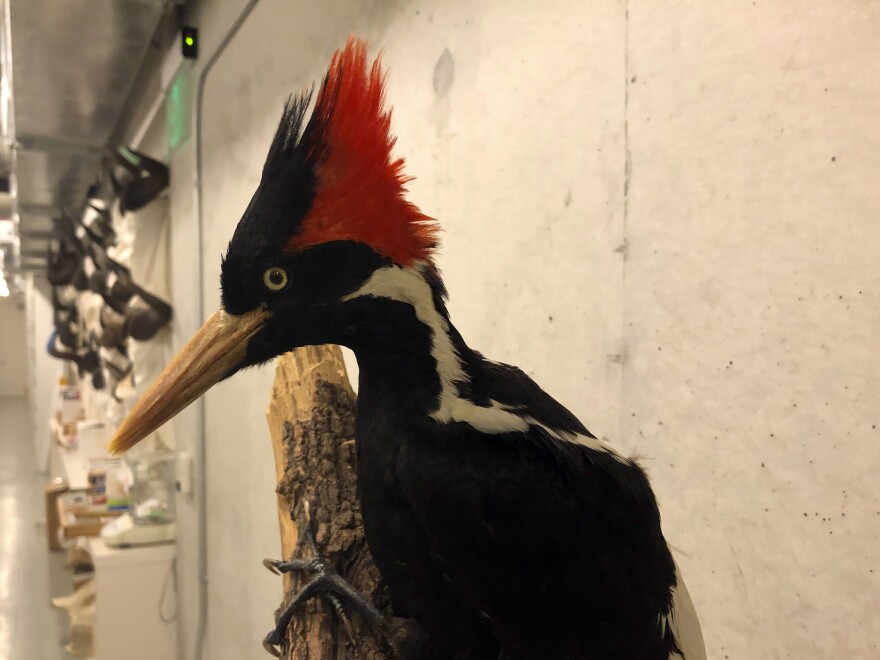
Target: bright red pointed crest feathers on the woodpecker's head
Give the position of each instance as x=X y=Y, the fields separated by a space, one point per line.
x=359 y=188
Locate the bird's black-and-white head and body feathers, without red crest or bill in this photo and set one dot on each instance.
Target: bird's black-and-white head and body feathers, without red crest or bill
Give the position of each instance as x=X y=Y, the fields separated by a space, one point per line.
x=499 y=521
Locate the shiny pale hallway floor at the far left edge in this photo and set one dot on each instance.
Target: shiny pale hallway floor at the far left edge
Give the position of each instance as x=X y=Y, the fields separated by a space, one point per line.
x=30 y=629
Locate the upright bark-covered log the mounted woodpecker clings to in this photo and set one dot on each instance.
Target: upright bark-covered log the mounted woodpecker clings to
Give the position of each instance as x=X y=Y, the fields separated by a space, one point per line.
x=311 y=418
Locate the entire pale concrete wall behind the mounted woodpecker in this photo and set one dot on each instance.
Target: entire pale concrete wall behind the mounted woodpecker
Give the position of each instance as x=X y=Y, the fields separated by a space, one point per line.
x=665 y=214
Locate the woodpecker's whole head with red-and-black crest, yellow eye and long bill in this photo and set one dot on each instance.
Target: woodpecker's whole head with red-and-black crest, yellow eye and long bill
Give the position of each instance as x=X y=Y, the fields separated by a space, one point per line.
x=329 y=212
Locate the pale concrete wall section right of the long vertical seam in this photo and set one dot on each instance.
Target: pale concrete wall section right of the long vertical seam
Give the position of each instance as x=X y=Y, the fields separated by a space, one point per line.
x=752 y=308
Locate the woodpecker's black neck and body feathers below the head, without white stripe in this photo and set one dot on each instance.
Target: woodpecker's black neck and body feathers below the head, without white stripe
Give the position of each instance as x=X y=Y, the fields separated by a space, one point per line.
x=512 y=541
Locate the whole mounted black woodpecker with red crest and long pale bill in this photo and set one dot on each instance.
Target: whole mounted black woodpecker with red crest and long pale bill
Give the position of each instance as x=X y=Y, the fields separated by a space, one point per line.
x=501 y=525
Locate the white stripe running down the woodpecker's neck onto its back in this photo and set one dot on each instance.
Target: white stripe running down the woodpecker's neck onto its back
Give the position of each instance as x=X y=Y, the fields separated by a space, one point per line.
x=409 y=286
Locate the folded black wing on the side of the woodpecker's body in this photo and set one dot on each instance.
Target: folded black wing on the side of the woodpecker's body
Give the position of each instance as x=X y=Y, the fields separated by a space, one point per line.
x=554 y=553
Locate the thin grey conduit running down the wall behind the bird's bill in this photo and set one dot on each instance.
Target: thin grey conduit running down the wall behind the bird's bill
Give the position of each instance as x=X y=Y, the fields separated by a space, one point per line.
x=201 y=453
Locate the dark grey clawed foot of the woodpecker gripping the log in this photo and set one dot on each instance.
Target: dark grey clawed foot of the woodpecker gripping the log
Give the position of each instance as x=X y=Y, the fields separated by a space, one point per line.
x=326 y=582
